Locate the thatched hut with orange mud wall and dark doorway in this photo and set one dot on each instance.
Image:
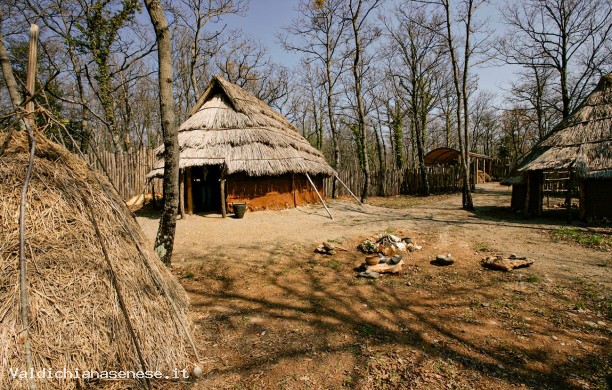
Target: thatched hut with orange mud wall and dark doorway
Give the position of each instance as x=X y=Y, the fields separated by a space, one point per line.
x=235 y=148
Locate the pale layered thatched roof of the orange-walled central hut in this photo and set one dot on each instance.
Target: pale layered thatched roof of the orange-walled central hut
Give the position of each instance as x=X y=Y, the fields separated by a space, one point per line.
x=232 y=128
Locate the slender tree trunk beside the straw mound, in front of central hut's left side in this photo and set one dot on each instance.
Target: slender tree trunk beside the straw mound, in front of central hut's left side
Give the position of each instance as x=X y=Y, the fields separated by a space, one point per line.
x=164 y=241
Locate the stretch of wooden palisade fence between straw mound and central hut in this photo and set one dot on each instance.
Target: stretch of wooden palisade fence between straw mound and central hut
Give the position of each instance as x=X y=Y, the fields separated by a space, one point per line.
x=127 y=170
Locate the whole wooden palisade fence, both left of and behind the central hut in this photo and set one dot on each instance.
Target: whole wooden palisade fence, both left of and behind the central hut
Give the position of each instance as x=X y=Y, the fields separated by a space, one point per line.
x=127 y=172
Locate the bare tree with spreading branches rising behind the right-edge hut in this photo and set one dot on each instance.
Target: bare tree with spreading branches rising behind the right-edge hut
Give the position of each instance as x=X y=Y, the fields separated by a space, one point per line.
x=569 y=37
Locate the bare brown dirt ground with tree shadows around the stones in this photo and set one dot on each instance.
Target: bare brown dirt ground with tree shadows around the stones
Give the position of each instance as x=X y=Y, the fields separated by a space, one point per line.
x=270 y=313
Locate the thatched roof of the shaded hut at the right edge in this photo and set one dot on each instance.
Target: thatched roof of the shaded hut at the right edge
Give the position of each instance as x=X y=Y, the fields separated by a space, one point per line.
x=582 y=141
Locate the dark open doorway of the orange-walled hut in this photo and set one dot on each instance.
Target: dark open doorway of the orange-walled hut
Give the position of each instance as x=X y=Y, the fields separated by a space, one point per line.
x=205 y=189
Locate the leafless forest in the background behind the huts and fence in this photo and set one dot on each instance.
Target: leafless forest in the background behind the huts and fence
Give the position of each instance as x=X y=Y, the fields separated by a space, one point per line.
x=379 y=83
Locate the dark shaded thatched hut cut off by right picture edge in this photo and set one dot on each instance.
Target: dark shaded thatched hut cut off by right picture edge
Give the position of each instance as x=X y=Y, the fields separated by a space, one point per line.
x=578 y=152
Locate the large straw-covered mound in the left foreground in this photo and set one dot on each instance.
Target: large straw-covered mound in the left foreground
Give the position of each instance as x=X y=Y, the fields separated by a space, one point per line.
x=99 y=298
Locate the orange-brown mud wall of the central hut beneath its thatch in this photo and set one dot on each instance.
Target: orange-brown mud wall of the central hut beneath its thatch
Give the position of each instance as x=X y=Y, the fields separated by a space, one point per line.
x=272 y=192
